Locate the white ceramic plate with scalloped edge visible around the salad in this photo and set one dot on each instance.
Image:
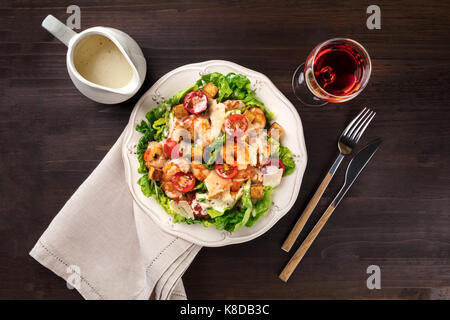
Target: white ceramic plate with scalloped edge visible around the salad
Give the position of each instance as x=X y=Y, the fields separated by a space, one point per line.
x=284 y=195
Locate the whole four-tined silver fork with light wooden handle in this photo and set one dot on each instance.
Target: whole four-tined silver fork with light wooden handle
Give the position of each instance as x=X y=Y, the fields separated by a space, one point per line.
x=346 y=143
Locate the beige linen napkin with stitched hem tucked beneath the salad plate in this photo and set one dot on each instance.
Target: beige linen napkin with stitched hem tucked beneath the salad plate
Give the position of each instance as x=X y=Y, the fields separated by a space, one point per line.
x=107 y=247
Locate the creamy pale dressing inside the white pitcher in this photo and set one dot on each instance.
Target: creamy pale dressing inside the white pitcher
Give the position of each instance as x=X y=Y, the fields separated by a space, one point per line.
x=98 y=60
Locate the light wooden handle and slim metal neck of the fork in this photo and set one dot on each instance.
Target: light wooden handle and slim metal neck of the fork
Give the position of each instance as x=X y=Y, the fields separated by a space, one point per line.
x=293 y=235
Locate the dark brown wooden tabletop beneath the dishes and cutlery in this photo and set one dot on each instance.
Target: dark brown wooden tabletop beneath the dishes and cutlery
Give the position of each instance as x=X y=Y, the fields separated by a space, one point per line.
x=396 y=216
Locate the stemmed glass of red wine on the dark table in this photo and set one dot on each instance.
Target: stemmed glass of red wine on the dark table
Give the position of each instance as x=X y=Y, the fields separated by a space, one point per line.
x=335 y=71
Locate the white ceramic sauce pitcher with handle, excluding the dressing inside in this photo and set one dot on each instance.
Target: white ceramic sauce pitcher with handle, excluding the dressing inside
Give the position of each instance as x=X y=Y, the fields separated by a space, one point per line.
x=128 y=48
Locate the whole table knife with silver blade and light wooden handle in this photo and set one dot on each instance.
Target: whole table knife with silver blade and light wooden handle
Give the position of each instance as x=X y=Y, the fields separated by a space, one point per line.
x=354 y=168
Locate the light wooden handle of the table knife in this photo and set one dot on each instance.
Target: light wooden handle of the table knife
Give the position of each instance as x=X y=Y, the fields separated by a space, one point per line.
x=298 y=255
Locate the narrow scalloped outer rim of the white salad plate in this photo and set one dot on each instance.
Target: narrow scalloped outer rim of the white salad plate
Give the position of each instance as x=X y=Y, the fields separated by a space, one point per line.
x=227 y=239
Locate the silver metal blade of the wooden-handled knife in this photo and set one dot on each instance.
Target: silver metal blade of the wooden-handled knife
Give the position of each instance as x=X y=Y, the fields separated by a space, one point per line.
x=355 y=167
